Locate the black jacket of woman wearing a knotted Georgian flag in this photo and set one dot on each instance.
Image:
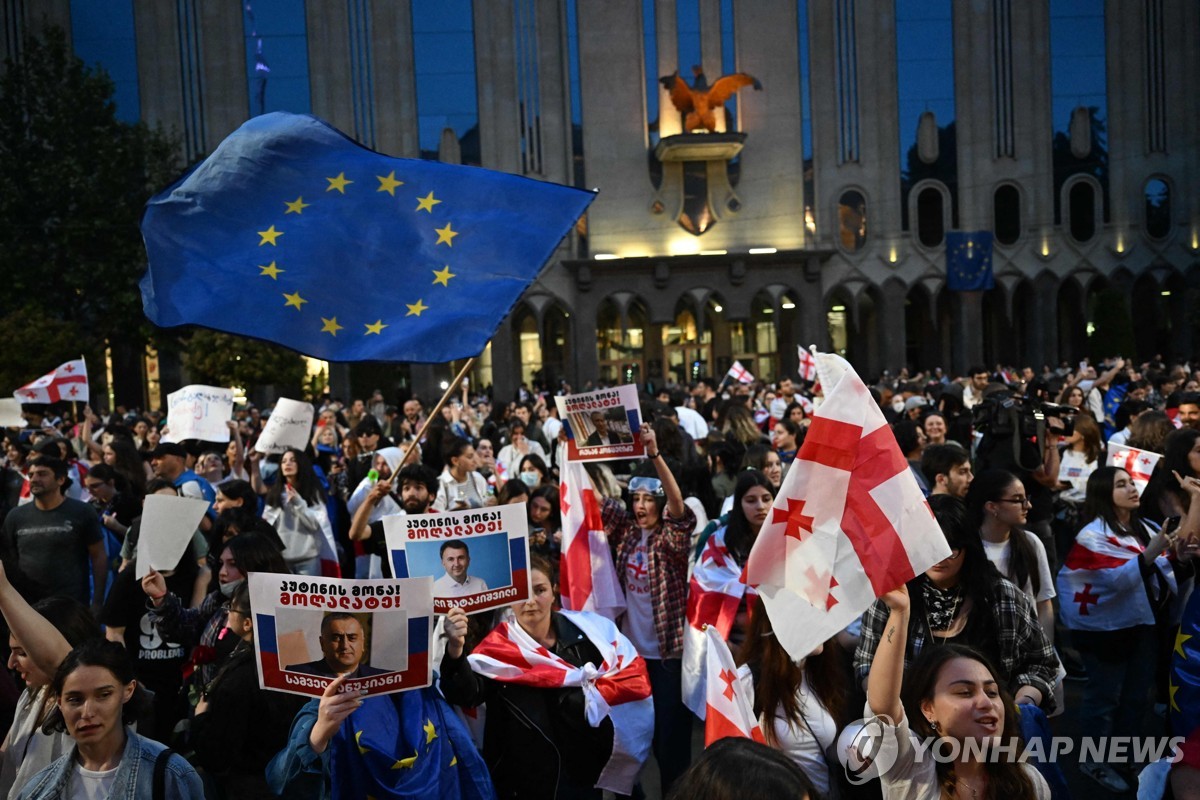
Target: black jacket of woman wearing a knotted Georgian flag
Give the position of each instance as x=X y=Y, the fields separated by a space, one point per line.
x=537 y=742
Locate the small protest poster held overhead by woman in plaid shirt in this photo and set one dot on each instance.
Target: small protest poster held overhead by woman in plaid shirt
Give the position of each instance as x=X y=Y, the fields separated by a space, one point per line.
x=603 y=425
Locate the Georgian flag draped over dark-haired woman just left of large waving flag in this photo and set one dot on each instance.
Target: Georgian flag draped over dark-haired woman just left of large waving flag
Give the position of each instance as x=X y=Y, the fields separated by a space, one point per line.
x=717 y=588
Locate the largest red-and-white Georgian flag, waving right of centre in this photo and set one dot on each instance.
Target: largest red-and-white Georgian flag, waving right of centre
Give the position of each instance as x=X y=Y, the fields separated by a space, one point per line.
x=849 y=524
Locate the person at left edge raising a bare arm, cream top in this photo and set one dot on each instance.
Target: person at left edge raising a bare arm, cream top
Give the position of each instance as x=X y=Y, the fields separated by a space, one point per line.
x=41 y=637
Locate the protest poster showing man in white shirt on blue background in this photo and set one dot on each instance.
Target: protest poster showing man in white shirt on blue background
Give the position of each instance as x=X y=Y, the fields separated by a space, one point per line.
x=478 y=558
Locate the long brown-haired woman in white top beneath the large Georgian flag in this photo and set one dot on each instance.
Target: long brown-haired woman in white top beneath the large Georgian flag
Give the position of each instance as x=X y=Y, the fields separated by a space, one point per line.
x=801 y=706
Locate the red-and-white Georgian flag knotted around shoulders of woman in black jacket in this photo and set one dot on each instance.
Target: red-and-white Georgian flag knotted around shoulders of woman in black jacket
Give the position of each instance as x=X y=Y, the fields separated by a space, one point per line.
x=620 y=689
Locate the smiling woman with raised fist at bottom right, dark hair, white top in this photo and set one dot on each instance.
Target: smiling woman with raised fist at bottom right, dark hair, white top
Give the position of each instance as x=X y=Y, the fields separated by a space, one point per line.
x=951 y=694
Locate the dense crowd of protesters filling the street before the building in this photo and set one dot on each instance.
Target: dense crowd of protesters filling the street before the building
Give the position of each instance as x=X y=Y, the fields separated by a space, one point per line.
x=1060 y=569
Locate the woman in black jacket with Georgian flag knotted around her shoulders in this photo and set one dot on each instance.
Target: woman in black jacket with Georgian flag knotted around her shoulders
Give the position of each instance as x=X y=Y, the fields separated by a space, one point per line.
x=569 y=709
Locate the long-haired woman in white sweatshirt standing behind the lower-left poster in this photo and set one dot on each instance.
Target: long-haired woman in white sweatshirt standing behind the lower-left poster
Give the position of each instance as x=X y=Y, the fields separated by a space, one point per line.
x=296 y=507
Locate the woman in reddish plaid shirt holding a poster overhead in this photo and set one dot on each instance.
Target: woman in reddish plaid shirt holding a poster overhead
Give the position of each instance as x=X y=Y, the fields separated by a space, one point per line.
x=651 y=545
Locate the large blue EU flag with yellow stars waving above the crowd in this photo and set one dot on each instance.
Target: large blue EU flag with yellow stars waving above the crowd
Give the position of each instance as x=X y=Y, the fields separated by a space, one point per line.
x=293 y=233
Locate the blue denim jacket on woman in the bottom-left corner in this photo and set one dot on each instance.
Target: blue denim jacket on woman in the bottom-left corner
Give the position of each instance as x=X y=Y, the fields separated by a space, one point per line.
x=135 y=777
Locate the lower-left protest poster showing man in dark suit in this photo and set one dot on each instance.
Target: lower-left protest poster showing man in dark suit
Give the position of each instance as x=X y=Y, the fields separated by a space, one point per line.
x=310 y=630
